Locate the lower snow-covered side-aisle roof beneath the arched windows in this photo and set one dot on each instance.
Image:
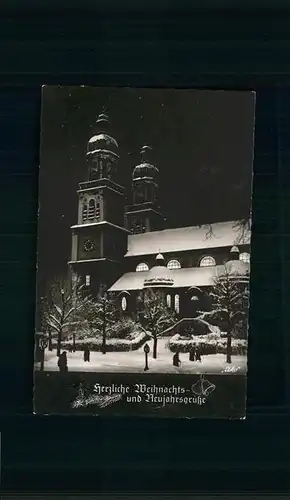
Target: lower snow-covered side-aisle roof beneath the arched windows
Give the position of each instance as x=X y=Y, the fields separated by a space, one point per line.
x=183 y=278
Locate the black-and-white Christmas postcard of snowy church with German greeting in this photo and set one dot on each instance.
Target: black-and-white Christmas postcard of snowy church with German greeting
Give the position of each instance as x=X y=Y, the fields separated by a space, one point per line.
x=143 y=263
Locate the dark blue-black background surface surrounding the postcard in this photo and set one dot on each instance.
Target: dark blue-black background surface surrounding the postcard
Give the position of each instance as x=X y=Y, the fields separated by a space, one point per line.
x=157 y=45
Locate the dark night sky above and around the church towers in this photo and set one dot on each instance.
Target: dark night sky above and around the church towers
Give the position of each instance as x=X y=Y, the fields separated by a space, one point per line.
x=202 y=144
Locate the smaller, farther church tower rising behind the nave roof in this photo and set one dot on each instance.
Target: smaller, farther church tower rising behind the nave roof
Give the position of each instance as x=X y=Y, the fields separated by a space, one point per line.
x=144 y=214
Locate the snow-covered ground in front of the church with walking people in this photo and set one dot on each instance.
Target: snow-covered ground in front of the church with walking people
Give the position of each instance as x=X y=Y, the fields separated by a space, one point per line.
x=134 y=361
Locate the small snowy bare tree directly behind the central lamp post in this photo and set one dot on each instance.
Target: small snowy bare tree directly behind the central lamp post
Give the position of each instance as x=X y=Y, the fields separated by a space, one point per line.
x=155 y=316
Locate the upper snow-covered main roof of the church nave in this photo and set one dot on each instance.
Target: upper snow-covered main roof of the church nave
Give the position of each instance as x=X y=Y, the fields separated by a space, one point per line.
x=224 y=234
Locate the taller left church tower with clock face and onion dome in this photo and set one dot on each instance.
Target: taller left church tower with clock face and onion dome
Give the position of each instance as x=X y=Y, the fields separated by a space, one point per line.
x=99 y=239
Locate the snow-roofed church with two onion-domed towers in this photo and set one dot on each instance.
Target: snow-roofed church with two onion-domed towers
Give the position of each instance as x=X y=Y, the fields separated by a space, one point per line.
x=126 y=249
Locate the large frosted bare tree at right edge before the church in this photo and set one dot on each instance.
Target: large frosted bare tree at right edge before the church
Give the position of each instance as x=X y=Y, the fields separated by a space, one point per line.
x=230 y=302
